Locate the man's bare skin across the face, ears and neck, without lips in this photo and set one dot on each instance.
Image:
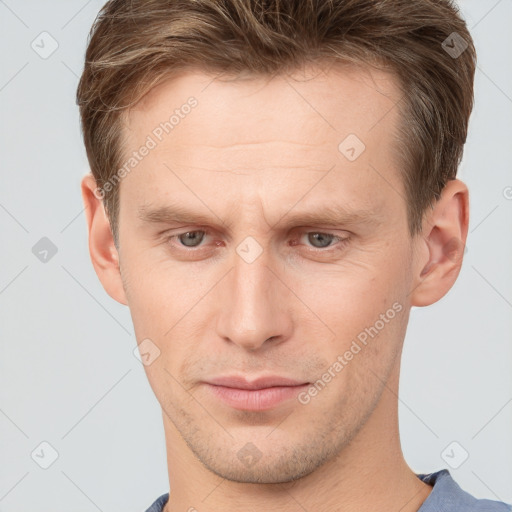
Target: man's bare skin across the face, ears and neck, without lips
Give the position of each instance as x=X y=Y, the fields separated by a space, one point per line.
x=253 y=155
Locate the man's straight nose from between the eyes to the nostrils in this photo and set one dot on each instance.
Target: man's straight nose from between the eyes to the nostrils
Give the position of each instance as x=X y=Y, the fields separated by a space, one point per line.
x=254 y=307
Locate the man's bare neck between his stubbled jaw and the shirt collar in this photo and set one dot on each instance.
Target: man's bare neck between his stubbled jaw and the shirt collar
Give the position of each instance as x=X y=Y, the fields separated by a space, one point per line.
x=369 y=473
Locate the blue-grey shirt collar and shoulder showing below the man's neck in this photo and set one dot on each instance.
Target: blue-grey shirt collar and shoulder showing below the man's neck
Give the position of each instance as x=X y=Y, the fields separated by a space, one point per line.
x=446 y=496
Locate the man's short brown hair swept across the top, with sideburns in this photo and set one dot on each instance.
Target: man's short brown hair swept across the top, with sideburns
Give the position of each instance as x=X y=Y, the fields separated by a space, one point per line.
x=134 y=45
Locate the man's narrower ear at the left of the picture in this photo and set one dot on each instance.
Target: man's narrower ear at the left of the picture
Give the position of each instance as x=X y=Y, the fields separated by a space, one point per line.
x=104 y=254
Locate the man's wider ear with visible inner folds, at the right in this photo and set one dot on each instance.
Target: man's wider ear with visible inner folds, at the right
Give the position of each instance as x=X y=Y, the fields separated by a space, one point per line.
x=441 y=245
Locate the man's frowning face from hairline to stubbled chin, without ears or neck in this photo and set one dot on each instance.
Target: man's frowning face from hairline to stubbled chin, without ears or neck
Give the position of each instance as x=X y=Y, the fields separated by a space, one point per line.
x=301 y=245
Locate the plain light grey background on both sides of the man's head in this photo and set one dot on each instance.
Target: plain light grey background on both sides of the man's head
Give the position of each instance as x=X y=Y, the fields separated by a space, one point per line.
x=68 y=375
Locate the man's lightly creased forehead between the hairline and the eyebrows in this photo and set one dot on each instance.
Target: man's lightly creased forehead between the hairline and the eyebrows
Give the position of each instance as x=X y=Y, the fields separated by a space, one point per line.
x=280 y=133
